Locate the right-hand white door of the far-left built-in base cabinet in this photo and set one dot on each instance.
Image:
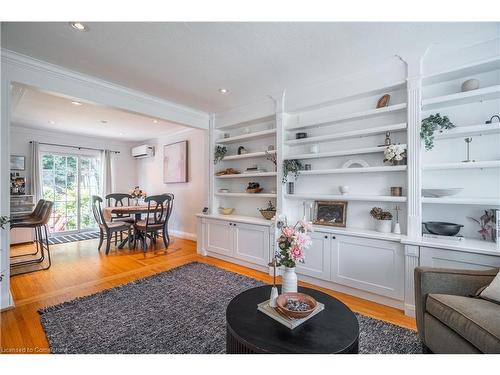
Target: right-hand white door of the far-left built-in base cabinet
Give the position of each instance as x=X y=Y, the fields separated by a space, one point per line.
x=251 y=243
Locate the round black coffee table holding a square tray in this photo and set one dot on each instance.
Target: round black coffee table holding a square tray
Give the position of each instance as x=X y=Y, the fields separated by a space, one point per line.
x=333 y=330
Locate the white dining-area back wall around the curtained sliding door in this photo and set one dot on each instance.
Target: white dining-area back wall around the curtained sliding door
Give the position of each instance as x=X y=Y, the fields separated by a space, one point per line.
x=124 y=172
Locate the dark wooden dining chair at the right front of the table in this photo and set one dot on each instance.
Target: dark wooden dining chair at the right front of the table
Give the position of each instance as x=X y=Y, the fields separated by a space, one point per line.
x=159 y=210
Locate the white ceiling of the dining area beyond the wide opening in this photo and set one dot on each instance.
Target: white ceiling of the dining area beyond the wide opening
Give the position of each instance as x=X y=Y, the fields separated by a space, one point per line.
x=40 y=110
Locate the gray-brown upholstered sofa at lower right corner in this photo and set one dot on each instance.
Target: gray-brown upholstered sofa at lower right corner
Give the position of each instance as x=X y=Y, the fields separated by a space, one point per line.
x=448 y=319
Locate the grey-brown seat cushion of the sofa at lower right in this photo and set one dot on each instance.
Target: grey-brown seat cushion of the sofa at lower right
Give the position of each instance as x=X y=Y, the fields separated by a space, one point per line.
x=476 y=320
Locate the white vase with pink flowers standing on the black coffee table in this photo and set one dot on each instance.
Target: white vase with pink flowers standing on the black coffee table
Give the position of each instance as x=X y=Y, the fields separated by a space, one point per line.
x=292 y=242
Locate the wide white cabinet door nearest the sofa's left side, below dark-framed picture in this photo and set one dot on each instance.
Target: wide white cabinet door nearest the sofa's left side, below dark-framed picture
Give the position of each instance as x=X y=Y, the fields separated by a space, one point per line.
x=375 y=266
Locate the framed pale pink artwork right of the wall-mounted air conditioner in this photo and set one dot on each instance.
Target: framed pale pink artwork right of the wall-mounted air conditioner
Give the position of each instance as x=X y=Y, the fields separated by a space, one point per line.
x=175 y=163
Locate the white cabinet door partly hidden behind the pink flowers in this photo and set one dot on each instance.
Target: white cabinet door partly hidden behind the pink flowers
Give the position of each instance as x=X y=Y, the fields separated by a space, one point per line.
x=317 y=257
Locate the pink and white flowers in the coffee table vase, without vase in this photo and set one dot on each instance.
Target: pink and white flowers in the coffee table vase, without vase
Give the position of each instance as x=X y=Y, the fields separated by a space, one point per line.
x=292 y=243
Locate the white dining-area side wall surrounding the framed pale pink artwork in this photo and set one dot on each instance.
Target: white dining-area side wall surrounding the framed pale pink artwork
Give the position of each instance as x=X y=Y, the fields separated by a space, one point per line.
x=190 y=197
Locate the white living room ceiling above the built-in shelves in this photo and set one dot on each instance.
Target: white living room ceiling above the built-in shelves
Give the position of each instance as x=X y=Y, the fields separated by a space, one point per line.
x=188 y=62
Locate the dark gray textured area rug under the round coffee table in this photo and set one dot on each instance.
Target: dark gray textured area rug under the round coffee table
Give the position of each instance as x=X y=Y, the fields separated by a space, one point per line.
x=176 y=312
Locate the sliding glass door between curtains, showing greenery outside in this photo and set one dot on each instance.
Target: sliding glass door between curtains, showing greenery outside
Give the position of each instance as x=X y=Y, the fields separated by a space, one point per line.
x=70 y=181
